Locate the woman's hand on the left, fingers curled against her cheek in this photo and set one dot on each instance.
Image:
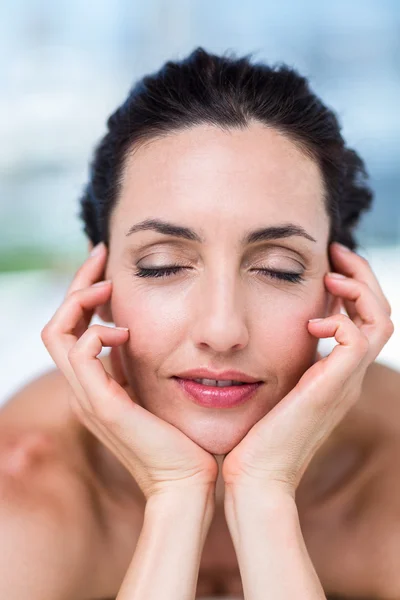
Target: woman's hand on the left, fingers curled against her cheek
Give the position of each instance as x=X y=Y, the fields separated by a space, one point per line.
x=159 y=456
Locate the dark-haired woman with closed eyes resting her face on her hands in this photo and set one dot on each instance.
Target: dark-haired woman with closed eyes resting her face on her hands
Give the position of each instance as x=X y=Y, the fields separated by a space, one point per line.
x=214 y=451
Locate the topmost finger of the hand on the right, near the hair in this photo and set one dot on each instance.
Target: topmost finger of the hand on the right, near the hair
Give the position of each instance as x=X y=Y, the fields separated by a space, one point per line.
x=353 y=265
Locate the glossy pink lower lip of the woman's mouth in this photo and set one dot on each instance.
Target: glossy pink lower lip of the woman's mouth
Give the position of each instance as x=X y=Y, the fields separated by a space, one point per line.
x=217 y=397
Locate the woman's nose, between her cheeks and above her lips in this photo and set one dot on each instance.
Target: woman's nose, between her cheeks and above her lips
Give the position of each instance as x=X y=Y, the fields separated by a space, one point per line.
x=220 y=319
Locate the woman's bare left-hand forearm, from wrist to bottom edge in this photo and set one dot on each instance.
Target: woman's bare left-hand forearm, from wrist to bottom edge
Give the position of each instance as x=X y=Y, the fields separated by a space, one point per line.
x=167 y=557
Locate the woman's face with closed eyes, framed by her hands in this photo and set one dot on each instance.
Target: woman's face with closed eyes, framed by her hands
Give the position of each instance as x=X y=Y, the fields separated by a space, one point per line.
x=218 y=311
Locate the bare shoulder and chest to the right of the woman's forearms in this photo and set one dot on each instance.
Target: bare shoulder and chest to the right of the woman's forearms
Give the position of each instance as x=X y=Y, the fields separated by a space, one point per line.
x=351 y=525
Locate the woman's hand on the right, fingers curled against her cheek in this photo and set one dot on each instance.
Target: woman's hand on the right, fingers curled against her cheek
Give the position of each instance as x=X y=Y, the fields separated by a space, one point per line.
x=278 y=448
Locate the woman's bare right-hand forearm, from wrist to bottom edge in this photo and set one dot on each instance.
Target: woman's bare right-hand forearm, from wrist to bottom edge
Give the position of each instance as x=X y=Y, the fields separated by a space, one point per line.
x=269 y=545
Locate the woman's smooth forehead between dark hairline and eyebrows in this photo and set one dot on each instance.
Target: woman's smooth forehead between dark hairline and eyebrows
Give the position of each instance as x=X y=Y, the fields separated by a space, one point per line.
x=256 y=172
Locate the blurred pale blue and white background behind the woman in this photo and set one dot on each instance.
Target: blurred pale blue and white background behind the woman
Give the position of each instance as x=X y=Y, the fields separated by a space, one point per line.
x=66 y=66
